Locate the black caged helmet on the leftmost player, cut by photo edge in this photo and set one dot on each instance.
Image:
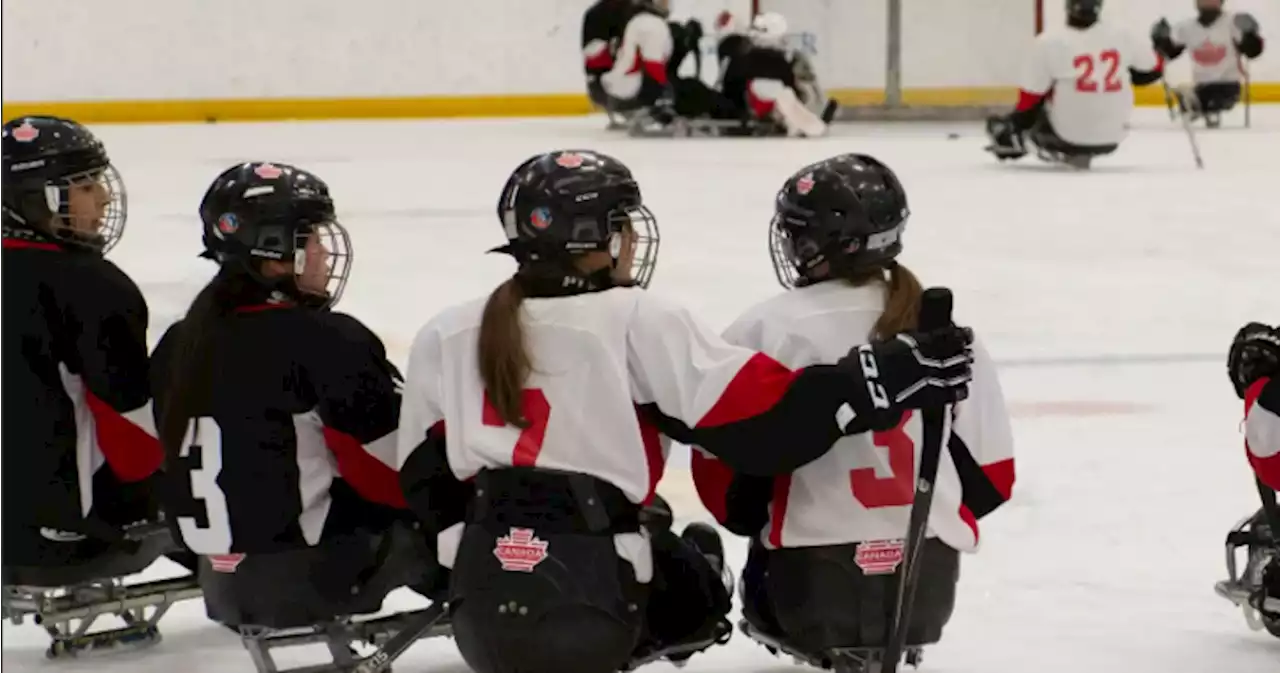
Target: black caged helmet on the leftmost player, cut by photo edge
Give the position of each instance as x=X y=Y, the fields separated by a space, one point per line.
x=60 y=182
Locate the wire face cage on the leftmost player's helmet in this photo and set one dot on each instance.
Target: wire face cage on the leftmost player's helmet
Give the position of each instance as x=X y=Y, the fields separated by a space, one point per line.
x=109 y=228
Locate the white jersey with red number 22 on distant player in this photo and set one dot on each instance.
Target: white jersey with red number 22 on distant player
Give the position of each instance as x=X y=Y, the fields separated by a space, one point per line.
x=1086 y=76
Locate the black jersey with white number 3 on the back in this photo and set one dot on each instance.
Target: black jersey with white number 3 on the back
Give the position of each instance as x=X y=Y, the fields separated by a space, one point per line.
x=295 y=441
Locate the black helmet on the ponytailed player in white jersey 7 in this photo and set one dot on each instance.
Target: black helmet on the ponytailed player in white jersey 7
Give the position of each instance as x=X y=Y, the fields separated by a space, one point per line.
x=569 y=203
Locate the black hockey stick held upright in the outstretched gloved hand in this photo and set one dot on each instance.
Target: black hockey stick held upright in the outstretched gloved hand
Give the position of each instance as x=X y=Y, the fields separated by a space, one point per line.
x=935 y=314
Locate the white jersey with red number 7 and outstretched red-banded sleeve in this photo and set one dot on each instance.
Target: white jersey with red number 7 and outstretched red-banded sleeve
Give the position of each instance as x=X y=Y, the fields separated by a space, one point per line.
x=601 y=360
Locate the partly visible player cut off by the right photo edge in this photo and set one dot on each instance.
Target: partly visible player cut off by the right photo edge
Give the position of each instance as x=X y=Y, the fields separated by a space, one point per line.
x=1254 y=365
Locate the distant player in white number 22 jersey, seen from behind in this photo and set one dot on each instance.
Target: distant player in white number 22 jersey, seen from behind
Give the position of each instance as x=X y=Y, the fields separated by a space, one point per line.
x=1076 y=95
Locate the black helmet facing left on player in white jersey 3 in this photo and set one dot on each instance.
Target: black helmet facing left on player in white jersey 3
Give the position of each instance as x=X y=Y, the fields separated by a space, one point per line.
x=836 y=218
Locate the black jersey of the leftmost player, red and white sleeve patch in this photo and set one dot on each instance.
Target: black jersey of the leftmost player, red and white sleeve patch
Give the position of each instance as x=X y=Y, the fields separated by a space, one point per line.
x=77 y=427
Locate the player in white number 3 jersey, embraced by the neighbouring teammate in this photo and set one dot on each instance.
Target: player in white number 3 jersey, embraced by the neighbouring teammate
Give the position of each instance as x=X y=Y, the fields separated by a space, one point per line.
x=828 y=538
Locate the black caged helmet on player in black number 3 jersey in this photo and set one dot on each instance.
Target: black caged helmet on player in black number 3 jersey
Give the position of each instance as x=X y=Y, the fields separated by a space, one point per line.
x=259 y=212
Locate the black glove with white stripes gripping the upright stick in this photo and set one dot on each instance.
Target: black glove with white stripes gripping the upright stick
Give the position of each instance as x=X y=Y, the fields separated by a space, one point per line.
x=915 y=370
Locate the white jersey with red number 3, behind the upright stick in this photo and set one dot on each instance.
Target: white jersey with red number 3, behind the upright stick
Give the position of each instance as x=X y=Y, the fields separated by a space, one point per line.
x=862 y=491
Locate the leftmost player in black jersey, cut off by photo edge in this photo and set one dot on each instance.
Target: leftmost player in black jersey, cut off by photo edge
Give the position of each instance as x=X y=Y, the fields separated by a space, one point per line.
x=80 y=452
